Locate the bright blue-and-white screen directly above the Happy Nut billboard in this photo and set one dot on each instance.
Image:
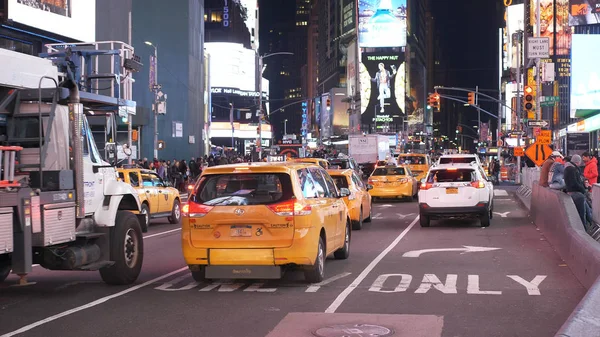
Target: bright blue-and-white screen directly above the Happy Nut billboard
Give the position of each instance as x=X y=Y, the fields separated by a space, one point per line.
x=382 y=23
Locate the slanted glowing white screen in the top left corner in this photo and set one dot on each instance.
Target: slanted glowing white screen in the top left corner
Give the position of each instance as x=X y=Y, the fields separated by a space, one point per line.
x=74 y=19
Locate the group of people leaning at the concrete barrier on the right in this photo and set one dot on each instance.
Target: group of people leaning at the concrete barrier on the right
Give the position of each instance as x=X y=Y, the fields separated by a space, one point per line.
x=575 y=175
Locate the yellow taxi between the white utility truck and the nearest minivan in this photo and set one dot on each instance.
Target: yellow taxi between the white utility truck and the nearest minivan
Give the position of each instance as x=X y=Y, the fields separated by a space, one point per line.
x=157 y=198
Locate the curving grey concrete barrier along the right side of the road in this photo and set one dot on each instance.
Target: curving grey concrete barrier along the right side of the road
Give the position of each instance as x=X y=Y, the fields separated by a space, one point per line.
x=556 y=215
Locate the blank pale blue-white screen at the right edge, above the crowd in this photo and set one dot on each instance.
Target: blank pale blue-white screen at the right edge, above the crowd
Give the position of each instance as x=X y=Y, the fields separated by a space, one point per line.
x=585 y=74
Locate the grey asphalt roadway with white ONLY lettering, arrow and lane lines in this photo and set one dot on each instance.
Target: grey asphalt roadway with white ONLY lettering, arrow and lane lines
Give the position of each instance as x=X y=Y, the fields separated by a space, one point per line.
x=452 y=279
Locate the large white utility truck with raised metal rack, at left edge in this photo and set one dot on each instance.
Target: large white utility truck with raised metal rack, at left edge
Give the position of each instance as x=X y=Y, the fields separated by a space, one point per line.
x=62 y=206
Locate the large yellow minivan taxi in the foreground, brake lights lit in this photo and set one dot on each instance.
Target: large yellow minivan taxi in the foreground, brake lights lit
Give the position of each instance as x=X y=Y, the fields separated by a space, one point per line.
x=252 y=221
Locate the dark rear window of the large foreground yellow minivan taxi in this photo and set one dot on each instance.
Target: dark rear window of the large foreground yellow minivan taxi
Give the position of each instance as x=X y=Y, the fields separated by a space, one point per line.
x=244 y=189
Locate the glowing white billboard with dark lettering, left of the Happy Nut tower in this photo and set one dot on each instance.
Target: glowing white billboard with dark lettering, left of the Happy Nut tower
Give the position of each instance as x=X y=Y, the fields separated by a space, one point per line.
x=231 y=66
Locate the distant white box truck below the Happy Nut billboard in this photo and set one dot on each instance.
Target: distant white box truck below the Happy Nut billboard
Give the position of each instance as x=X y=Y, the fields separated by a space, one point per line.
x=369 y=148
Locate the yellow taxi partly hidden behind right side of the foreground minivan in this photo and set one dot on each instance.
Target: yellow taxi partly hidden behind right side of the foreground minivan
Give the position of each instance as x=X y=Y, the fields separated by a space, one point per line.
x=359 y=200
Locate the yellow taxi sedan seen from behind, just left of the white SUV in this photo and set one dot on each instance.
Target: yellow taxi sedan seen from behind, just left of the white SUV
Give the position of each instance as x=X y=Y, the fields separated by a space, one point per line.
x=393 y=182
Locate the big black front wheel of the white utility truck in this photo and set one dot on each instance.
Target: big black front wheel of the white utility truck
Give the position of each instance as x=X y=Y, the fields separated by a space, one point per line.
x=126 y=251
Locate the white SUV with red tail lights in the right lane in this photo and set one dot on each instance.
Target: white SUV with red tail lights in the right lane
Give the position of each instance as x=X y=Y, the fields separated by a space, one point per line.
x=456 y=191
